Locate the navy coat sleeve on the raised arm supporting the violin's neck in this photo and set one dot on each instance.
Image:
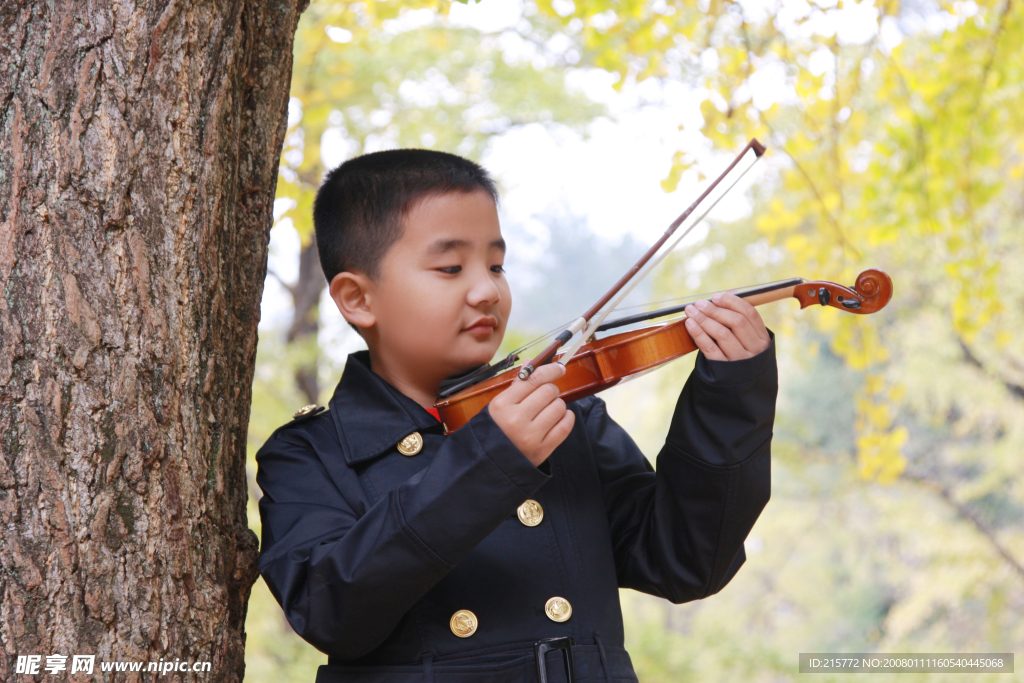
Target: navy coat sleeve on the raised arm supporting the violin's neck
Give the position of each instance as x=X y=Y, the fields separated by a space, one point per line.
x=678 y=533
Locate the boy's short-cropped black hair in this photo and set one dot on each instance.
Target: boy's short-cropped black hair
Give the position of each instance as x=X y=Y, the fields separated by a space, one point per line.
x=359 y=209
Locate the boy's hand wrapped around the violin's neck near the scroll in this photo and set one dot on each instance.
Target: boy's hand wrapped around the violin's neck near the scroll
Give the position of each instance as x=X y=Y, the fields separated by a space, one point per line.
x=728 y=328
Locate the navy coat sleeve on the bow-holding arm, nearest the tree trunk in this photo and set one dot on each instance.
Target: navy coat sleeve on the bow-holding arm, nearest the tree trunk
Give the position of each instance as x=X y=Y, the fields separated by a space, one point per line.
x=346 y=574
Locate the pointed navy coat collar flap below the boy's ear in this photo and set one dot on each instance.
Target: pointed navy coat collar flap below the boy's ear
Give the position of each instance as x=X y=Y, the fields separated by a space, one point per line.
x=371 y=415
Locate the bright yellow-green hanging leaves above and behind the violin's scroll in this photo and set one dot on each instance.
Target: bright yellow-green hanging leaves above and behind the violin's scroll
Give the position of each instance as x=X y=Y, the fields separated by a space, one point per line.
x=907 y=160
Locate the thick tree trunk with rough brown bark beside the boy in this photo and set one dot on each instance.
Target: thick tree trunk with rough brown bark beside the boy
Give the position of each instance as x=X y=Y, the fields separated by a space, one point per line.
x=139 y=154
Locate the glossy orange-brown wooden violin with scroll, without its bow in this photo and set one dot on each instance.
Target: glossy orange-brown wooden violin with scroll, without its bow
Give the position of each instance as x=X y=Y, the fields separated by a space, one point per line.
x=602 y=364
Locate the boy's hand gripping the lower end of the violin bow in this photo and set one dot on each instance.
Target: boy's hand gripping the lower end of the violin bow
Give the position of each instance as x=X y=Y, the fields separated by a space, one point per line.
x=532 y=415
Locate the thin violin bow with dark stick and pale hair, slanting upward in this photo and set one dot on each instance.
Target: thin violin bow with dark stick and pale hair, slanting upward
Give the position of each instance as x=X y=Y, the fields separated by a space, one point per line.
x=626 y=284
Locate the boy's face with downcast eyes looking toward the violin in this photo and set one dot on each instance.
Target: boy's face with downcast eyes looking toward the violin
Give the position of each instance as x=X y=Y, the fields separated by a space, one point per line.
x=442 y=303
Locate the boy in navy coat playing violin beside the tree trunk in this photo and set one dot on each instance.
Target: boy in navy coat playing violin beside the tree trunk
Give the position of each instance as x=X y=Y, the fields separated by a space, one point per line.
x=496 y=553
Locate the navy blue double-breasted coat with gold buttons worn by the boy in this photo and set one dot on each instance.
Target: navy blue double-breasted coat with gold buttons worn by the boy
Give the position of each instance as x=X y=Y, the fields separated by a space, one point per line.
x=371 y=552
